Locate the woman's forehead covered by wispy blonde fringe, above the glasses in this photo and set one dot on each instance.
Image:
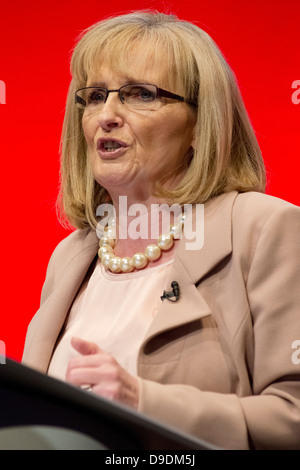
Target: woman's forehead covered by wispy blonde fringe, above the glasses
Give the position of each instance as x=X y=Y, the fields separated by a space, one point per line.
x=138 y=64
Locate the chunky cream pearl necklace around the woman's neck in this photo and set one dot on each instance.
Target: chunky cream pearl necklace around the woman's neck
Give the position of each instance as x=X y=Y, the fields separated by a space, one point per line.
x=139 y=260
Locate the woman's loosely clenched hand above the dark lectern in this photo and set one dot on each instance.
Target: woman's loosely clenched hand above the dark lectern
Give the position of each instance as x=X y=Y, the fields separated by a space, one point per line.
x=103 y=373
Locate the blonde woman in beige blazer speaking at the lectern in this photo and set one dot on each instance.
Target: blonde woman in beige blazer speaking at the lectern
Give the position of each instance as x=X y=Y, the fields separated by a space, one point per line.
x=198 y=338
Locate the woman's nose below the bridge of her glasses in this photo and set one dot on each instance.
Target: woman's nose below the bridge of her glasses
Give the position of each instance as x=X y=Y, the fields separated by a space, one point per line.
x=110 y=115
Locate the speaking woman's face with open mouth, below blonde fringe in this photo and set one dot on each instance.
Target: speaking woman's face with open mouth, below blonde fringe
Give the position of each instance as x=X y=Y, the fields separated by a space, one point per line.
x=150 y=144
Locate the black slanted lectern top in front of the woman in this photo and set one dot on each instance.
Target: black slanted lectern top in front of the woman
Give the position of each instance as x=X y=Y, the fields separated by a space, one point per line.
x=29 y=398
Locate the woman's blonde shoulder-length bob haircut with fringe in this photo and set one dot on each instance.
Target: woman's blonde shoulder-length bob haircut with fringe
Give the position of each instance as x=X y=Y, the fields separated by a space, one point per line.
x=226 y=155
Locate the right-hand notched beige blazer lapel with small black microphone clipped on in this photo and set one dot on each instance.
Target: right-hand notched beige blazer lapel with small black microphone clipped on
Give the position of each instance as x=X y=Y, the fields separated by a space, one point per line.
x=190 y=266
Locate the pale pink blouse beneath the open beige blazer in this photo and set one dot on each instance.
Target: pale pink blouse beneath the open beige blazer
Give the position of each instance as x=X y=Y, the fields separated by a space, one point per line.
x=114 y=311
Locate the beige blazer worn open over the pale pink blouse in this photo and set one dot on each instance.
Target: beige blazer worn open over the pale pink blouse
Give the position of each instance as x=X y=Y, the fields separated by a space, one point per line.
x=218 y=363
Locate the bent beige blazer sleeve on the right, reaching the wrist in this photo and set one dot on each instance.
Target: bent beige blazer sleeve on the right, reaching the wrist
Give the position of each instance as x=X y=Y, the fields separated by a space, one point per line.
x=270 y=418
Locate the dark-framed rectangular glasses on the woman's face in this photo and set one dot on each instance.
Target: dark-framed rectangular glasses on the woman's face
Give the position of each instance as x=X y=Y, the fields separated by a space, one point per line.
x=137 y=96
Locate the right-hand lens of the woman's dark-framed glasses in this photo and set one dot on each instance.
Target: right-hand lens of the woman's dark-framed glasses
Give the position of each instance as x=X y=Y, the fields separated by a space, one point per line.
x=140 y=96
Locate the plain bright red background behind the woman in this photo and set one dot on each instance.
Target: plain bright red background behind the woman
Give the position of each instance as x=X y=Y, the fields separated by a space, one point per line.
x=260 y=40
